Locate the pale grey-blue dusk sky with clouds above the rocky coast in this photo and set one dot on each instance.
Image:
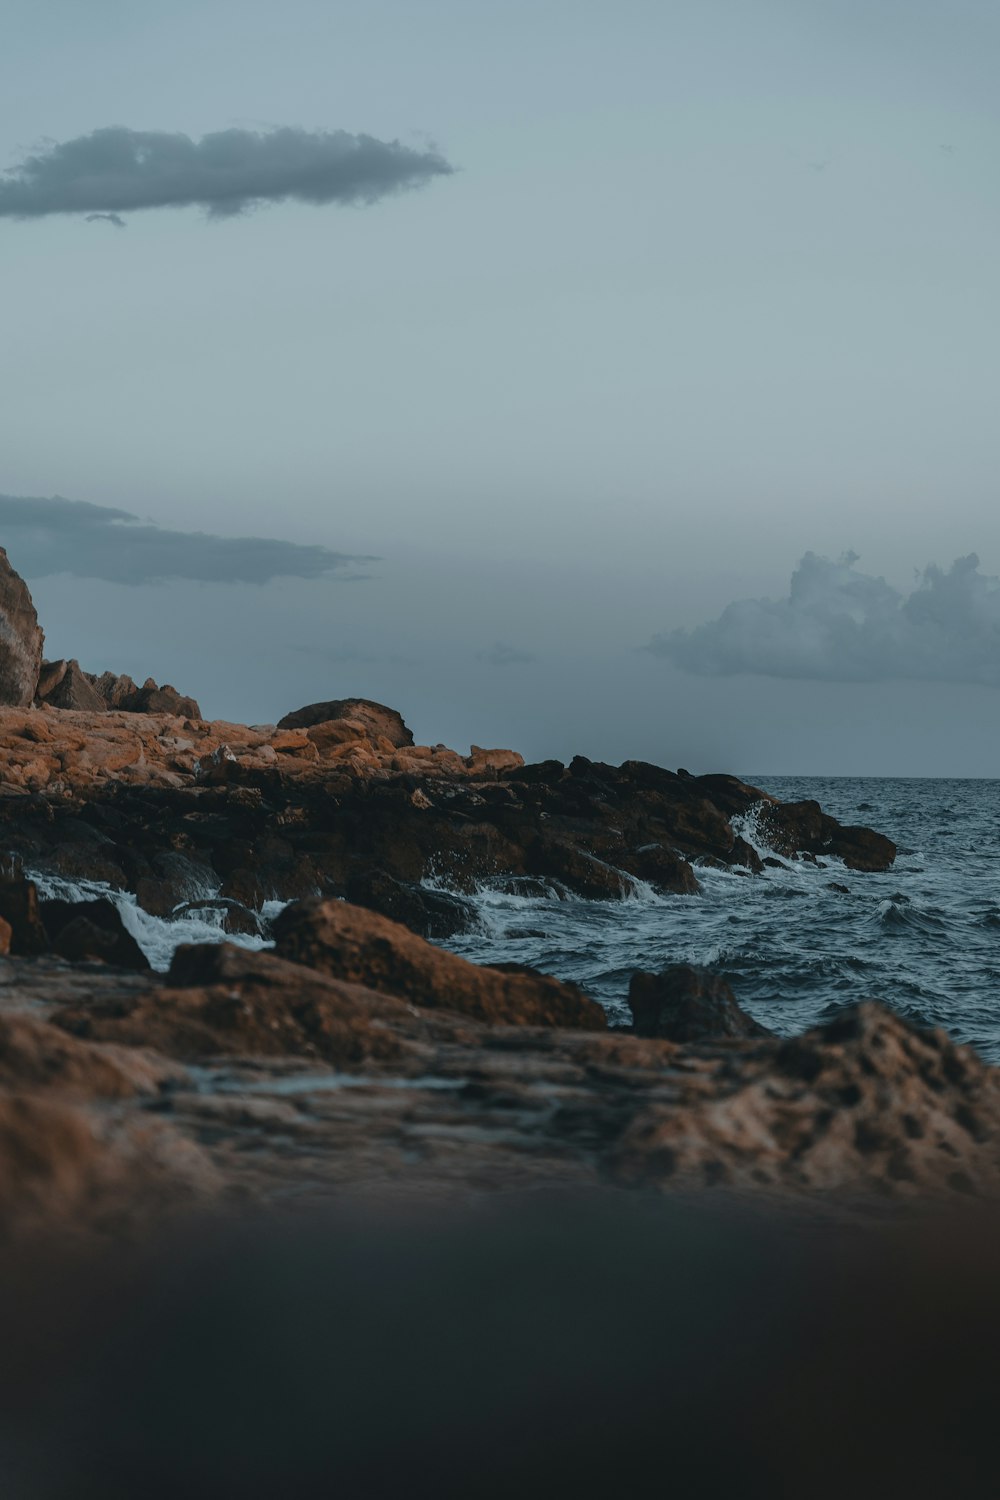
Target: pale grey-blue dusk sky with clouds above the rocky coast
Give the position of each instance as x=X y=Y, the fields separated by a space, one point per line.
x=578 y=377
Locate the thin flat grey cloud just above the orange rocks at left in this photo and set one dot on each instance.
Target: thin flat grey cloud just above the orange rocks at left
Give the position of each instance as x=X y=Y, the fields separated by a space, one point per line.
x=71 y=536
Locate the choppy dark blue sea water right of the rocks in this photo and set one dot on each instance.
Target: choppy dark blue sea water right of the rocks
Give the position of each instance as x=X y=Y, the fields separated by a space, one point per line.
x=924 y=938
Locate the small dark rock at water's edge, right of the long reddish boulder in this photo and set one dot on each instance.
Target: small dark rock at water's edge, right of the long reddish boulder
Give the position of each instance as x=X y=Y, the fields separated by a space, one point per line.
x=687 y=1004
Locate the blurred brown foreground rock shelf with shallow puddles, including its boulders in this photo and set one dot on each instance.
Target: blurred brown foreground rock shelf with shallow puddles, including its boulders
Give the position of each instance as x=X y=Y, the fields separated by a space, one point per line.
x=362 y=1060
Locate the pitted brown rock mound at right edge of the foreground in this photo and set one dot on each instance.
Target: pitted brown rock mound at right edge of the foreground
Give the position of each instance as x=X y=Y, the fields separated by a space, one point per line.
x=869 y=1105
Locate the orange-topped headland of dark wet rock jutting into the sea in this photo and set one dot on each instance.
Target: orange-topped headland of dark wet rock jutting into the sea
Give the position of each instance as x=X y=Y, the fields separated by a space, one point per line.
x=179 y=809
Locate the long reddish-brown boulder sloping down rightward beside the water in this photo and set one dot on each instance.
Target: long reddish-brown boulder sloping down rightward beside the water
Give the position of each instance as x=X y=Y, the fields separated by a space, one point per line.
x=362 y=947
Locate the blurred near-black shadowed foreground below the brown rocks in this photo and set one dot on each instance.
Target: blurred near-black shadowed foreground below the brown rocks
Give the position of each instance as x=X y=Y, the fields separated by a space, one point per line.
x=561 y=1346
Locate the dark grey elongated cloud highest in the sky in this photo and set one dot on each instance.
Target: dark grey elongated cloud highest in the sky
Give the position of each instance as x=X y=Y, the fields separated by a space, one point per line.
x=116 y=170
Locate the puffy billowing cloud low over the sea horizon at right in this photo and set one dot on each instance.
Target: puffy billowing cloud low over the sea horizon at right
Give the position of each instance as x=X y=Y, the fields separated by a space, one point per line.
x=840 y=625
